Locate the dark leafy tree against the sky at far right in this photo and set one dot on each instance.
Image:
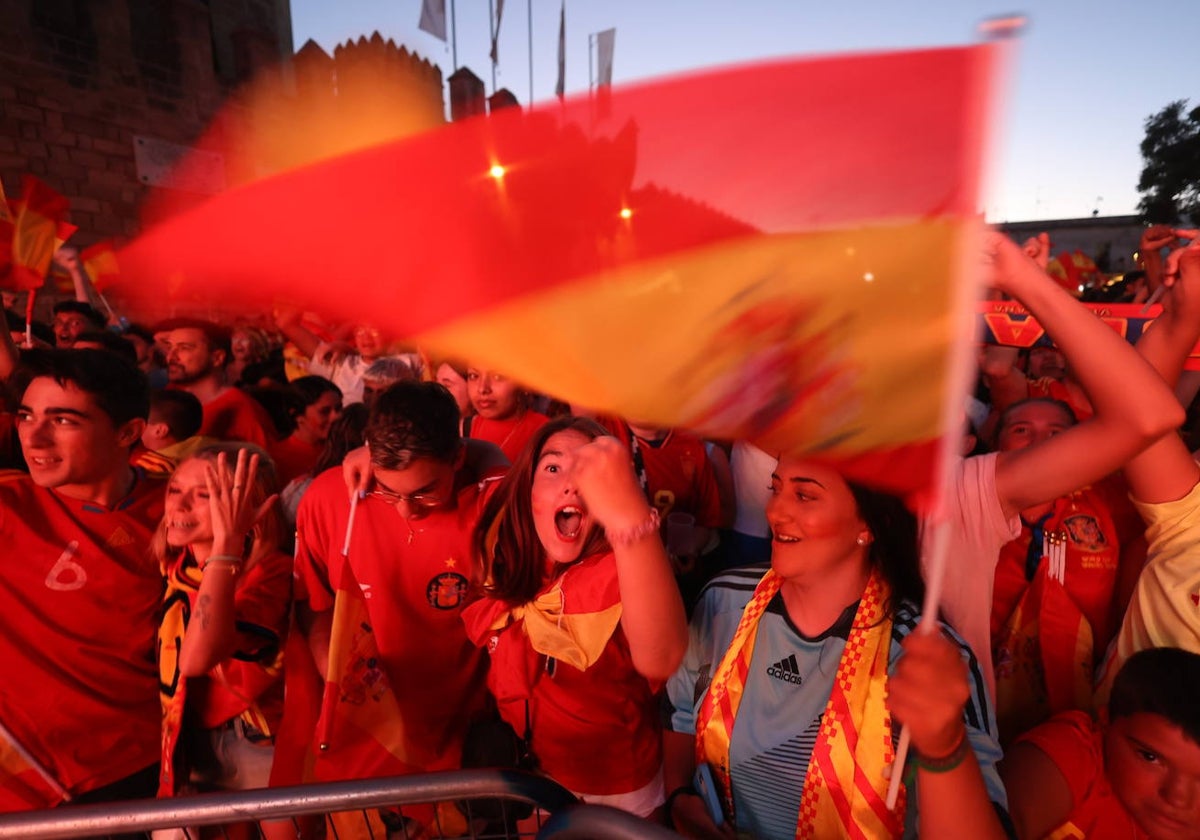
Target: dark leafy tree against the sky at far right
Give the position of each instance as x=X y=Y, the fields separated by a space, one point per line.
x=1171 y=178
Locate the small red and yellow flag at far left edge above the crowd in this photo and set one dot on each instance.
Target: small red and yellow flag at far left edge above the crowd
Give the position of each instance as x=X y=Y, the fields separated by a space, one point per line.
x=39 y=229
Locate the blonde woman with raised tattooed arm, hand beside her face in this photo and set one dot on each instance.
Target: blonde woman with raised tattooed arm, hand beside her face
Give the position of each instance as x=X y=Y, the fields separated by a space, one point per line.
x=225 y=620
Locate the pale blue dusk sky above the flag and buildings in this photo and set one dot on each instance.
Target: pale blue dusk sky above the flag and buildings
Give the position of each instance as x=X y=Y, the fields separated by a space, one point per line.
x=1088 y=73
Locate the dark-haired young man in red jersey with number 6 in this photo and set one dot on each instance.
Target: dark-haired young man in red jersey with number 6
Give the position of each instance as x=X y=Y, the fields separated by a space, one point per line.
x=80 y=596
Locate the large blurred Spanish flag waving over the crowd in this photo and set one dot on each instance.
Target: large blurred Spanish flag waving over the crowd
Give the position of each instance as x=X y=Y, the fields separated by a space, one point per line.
x=771 y=253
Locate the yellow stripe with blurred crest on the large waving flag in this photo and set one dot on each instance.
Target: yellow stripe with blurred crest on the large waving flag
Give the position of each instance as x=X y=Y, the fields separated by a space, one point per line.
x=739 y=326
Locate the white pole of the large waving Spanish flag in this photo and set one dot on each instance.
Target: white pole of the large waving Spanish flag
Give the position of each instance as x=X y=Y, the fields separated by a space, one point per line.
x=1004 y=28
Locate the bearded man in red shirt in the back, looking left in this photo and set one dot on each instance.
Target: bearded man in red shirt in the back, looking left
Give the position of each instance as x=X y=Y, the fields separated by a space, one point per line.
x=197 y=353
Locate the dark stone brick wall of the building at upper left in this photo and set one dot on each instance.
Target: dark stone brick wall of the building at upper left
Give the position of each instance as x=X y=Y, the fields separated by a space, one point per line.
x=81 y=79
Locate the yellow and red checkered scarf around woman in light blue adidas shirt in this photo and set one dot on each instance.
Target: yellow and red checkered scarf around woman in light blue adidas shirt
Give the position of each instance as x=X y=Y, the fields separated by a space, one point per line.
x=845 y=787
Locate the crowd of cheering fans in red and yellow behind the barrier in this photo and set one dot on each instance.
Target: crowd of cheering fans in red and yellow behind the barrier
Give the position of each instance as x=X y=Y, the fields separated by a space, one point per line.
x=315 y=555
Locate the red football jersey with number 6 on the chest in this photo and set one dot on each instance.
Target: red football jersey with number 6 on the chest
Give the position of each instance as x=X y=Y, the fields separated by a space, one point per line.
x=80 y=601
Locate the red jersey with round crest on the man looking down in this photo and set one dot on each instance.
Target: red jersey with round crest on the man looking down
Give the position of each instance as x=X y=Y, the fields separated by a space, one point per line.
x=415 y=578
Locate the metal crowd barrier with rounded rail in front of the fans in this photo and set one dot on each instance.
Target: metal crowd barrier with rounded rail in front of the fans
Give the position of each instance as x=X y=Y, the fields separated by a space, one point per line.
x=503 y=795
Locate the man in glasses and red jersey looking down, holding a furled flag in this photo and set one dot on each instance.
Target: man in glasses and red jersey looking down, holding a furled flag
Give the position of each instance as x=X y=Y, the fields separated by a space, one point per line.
x=403 y=680
